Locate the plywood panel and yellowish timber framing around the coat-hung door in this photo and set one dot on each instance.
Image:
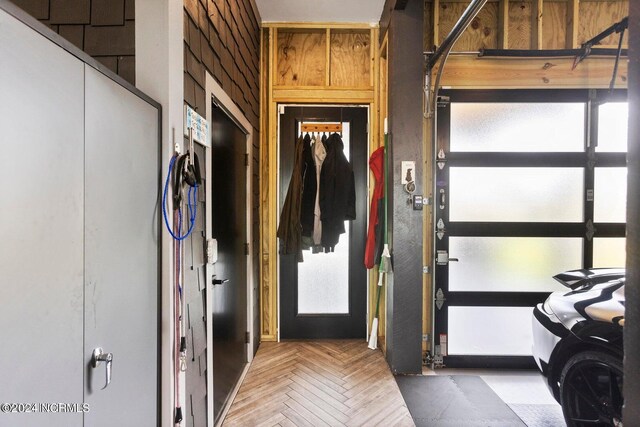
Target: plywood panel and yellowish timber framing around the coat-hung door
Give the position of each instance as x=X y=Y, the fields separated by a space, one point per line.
x=302 y=63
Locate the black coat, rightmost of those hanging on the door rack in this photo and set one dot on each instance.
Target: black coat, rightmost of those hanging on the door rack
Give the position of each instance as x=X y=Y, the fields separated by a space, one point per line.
x=337 y=192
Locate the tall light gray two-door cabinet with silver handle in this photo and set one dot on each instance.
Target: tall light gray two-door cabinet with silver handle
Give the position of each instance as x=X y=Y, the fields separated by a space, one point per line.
x=79 y=260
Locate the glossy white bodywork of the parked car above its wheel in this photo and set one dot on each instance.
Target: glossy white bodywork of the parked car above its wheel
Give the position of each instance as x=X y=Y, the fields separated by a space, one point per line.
x=603 y=302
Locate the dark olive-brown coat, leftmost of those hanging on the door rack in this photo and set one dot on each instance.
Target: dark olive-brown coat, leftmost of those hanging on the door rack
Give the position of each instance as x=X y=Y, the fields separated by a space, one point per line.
x=289 y=229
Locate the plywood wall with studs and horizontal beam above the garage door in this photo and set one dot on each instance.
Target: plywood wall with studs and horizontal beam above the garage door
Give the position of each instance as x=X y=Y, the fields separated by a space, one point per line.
x=533 y=24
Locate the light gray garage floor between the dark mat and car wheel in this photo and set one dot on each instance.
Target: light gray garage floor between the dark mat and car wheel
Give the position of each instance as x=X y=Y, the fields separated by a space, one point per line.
x=524 y=391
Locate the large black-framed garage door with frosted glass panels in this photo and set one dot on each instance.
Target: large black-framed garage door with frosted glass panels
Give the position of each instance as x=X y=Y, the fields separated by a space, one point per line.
x=515 y=205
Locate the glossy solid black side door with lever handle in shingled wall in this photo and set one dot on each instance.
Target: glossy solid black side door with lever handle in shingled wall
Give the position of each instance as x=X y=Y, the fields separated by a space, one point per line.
x=229 y=227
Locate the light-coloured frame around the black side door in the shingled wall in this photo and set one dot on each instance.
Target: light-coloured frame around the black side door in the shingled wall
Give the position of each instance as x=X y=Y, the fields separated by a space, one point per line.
x=215 y=92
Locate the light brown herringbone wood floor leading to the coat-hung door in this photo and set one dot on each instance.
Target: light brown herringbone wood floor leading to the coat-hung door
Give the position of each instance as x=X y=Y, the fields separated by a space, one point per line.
x=318 y=383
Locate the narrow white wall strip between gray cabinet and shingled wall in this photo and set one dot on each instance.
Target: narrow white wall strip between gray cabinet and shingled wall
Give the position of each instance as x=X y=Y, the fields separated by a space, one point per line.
x=159 y=73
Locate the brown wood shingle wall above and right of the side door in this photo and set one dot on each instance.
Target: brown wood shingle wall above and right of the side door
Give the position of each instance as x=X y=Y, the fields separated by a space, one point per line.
x=222 y=37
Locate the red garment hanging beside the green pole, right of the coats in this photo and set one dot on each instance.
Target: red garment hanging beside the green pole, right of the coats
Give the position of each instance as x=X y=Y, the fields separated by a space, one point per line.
x=373 y=248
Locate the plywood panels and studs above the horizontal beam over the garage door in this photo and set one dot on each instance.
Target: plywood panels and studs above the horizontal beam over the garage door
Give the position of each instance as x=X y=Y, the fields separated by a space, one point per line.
x=537 y=24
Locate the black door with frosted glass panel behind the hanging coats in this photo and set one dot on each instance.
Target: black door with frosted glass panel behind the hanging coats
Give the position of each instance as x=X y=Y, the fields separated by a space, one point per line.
x=325 y=296
